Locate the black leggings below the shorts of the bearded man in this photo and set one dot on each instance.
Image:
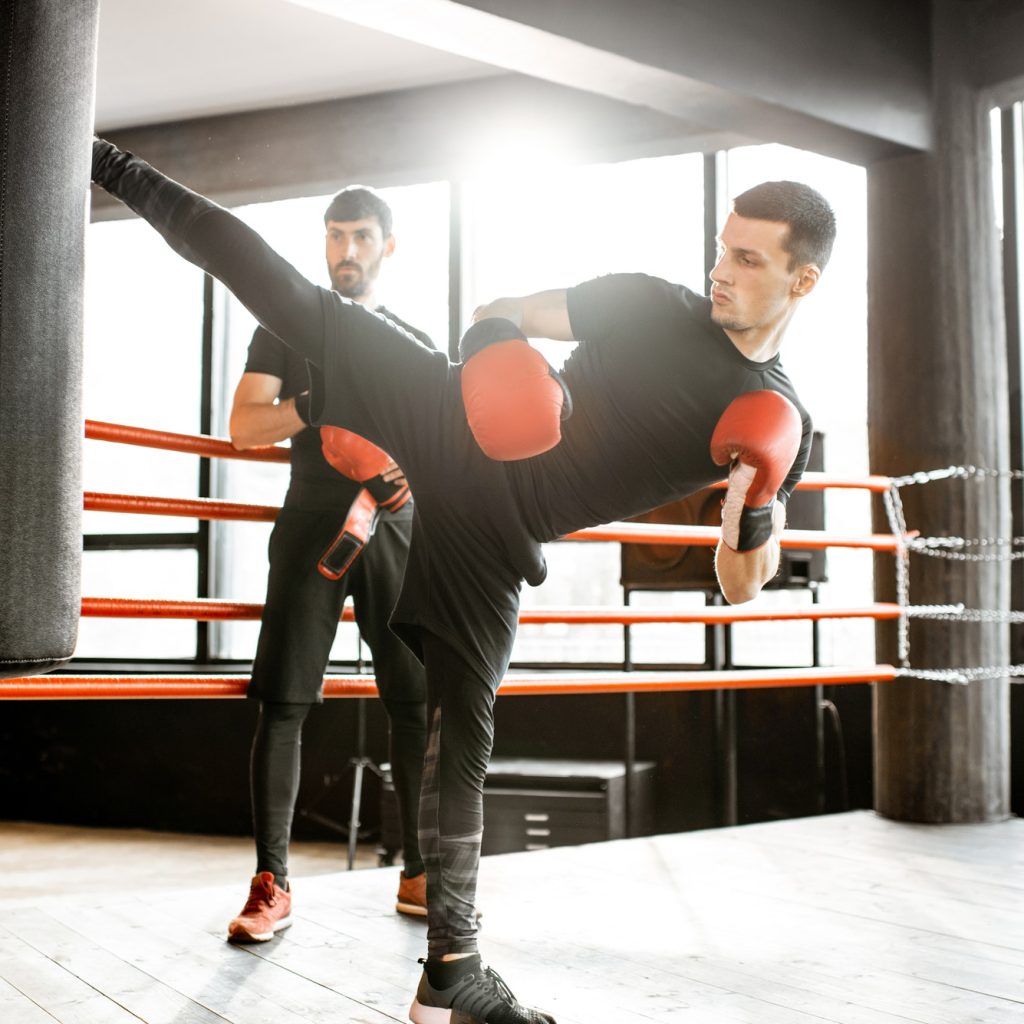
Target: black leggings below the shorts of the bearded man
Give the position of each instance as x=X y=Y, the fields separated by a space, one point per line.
x=275 y=773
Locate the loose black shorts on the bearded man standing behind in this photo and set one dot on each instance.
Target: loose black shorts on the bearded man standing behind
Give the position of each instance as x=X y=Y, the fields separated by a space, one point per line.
x=304 y=608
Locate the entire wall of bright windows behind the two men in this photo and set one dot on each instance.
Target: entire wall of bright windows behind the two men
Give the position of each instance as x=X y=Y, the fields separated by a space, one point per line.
x=551 y=229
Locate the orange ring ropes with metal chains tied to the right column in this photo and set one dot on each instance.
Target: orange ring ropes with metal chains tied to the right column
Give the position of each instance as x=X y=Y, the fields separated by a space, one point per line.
x=900 y=543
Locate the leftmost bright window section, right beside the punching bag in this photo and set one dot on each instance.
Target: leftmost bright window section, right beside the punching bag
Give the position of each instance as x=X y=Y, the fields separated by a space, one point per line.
x=144 y=318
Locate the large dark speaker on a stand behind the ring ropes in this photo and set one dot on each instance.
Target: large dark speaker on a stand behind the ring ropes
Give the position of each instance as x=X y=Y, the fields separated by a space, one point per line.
x=681 y=567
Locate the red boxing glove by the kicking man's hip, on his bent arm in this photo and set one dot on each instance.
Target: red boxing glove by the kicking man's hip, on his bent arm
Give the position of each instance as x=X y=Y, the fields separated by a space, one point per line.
x=516 y=403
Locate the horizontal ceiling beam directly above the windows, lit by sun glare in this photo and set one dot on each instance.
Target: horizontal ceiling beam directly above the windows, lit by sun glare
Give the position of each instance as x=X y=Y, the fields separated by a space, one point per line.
x=433 y=134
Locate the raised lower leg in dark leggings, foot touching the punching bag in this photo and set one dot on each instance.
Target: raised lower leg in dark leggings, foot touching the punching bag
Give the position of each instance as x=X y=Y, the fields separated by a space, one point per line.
x=285 y=303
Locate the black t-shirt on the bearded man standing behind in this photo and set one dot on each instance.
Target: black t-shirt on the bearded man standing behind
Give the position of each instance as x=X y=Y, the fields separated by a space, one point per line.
x=315 y=483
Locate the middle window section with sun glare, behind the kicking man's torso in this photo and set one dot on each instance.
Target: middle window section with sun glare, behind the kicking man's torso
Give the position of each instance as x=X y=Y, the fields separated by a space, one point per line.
x=553 y=230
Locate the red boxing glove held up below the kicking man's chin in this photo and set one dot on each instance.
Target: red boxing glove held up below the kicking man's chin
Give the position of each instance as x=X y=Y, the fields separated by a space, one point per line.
x=760 y=435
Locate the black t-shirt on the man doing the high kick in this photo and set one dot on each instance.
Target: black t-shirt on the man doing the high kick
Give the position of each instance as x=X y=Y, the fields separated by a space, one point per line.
x=650 y=380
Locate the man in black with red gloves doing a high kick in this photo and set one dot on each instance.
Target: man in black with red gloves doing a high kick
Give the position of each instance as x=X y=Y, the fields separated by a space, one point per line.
x=662 y=378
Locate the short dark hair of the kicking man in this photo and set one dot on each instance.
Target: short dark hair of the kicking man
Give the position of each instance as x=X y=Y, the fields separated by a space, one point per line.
x=813 y=224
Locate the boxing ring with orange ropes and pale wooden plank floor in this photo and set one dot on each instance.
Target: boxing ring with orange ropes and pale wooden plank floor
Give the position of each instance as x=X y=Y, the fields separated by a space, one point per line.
x=764 y=923
